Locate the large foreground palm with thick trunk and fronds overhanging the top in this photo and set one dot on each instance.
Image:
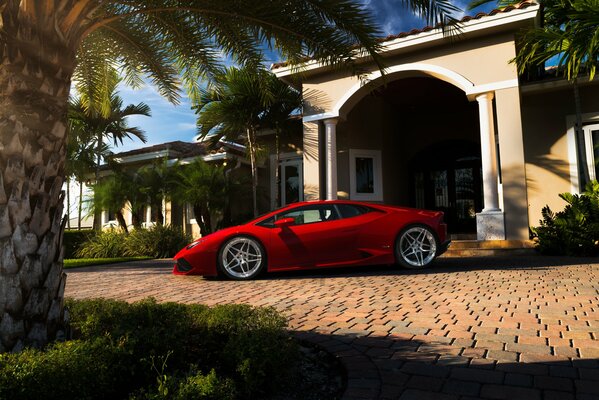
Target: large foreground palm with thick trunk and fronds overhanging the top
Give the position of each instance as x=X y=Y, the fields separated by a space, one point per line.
x=46 y=44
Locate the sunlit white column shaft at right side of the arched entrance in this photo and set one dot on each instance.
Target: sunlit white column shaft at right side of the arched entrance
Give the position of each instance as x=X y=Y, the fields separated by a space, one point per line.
x=488 y=151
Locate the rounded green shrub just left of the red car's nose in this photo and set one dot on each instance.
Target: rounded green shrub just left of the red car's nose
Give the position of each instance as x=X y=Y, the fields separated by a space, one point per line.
x=159 y=241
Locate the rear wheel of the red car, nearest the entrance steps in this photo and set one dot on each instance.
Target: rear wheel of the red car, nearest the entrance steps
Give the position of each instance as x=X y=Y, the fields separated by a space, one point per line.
x=416 y=247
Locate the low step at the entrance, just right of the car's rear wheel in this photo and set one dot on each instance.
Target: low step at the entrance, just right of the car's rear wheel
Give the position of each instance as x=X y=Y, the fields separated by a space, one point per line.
x=489 y=248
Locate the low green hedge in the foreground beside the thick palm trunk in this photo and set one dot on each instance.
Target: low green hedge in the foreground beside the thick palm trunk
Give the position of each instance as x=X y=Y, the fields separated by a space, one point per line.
x=165 y=351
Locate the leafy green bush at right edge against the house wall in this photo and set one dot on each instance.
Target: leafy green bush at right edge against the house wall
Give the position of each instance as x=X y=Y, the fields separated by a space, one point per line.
x=575 y=230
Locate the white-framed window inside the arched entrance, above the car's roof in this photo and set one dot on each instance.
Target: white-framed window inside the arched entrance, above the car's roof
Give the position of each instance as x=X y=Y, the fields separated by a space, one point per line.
x=365 y=175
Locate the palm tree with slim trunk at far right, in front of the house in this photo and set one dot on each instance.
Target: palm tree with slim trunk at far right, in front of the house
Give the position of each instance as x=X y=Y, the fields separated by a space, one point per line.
x=569 y=34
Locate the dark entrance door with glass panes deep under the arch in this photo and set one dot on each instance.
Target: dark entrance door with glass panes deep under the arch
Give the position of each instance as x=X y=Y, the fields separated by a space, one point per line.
x=452 y=185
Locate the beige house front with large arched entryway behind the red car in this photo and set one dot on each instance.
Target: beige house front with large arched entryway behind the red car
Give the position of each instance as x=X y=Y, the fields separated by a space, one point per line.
x=450 y=125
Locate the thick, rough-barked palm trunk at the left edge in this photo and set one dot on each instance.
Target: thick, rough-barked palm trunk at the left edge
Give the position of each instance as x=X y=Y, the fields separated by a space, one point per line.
x=35 y=71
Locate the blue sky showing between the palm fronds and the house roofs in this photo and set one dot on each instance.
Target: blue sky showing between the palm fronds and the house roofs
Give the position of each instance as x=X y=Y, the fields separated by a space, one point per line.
x=169 y=122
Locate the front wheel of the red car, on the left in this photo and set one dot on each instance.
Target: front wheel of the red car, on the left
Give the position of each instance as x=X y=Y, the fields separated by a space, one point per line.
x=241 y=258
